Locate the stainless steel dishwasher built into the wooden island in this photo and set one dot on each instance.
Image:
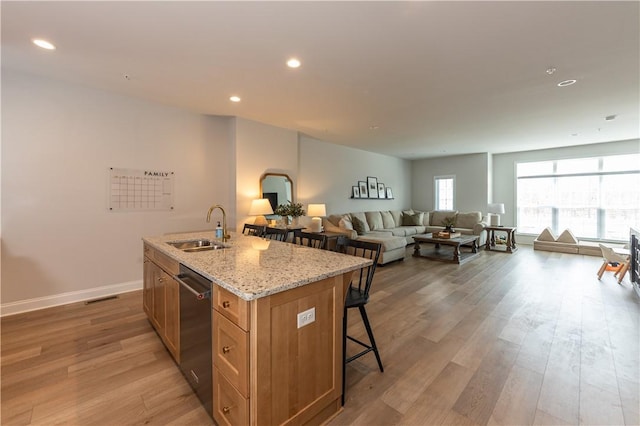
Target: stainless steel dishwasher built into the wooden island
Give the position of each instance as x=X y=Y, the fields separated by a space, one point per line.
x=195 y=334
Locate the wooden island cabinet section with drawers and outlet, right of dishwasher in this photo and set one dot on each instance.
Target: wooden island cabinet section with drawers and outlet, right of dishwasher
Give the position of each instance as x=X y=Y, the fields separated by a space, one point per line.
x=267 y=370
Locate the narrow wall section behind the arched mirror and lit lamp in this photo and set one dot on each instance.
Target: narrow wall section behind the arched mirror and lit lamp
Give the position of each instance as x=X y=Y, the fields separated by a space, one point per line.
x=260 y=148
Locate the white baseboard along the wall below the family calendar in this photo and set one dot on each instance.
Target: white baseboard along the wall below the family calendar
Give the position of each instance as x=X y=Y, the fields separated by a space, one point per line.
x=21 y=306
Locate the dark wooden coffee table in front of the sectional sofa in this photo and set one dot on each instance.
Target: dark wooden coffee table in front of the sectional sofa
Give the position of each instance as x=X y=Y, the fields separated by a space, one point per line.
x=453 y=255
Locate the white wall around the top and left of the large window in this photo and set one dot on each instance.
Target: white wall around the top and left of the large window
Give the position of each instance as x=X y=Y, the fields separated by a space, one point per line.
x=504 y=177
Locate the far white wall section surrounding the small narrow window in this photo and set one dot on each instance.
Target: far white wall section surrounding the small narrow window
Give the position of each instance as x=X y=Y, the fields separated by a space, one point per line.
x=472 y=181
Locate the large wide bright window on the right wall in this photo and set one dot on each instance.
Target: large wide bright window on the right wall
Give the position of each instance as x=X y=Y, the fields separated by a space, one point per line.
x=596 y=198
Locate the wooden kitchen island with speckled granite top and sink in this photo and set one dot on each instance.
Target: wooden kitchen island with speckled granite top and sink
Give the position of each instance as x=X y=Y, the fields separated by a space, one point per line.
x=269 y=365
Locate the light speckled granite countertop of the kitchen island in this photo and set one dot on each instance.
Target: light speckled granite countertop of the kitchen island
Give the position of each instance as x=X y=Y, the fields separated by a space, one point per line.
x=253 y=267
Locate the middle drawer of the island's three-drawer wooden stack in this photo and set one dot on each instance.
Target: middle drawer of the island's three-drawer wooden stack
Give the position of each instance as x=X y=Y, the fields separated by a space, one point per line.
x=230 y=352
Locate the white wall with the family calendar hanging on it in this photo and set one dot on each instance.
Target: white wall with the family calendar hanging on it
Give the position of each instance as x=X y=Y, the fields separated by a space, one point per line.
x=58 y=141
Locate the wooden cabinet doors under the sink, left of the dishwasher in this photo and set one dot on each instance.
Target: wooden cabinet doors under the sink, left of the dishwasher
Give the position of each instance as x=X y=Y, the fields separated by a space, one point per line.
x=161 y=298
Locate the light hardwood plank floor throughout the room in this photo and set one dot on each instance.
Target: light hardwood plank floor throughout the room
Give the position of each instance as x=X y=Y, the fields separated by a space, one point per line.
x=527 y=338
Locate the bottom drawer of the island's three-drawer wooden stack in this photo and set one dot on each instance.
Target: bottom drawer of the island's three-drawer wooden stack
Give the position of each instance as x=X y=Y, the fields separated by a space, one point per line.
x=229 y=406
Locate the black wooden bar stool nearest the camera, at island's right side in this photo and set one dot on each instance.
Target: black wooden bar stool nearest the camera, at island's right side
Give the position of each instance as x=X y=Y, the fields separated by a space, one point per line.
x=357 y=297
